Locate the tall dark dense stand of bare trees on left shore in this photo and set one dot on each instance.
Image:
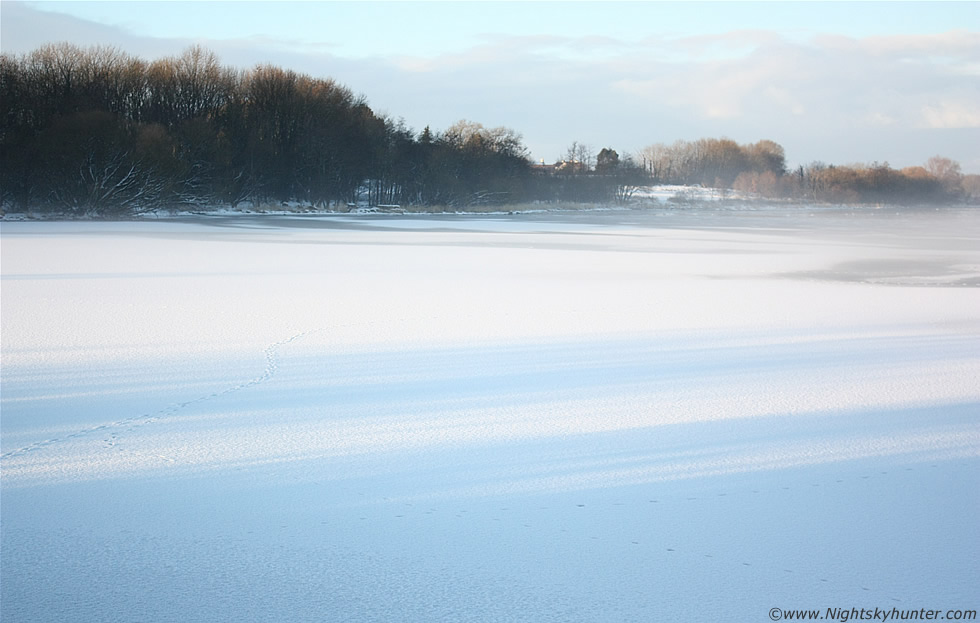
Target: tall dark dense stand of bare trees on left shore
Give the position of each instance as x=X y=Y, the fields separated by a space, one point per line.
x=97 y=131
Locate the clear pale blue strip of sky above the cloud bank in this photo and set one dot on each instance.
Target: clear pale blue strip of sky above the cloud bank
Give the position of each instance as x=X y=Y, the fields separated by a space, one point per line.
x=365 y=29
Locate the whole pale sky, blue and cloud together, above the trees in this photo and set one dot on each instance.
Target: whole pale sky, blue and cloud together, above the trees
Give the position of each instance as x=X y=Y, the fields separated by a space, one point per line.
x=835 y=82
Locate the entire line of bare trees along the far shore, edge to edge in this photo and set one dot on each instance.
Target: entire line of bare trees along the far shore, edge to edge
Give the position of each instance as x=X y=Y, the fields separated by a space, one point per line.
x=88 y=131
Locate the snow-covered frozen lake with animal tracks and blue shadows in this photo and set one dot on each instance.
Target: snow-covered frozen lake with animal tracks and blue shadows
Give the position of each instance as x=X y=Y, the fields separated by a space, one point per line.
x=600 y=416
